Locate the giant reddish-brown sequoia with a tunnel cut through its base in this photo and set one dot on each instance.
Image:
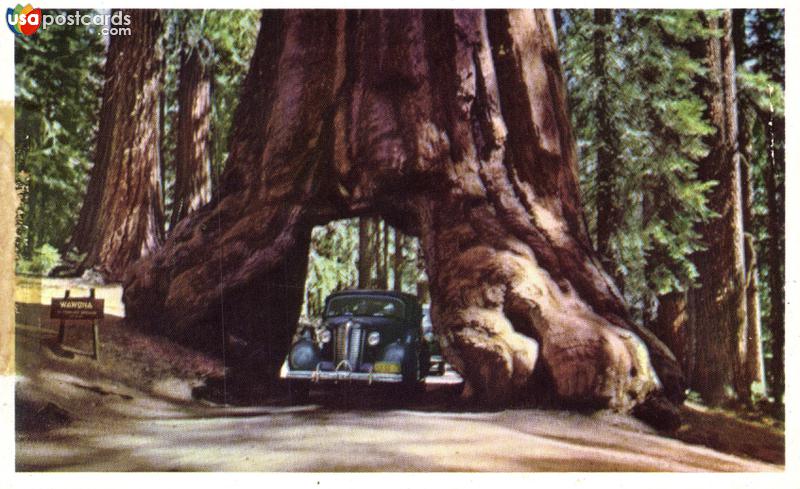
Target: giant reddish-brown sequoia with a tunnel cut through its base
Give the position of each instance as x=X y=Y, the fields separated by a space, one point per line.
x=453 y=127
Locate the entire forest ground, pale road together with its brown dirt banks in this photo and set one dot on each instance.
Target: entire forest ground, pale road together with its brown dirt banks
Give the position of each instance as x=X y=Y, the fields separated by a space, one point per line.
x=134 y=410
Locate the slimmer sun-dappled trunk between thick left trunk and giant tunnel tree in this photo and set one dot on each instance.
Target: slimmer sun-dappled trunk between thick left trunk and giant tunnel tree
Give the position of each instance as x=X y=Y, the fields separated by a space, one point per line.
x=192 y=156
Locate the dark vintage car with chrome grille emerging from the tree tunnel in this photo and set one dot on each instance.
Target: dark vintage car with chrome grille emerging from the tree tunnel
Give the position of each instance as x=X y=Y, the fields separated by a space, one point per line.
x=366 y=336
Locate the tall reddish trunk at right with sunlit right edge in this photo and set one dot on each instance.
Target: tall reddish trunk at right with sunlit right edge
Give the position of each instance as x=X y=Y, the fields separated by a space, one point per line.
x=719 y=313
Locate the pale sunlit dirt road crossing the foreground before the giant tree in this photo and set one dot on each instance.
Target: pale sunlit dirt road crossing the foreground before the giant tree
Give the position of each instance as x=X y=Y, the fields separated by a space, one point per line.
x=138 y=432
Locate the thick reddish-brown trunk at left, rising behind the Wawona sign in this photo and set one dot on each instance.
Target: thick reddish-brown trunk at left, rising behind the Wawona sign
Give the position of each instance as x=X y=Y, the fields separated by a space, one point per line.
x=122 y=213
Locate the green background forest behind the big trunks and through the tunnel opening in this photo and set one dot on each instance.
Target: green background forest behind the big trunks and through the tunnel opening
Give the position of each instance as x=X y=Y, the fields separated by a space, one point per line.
x=636 y=87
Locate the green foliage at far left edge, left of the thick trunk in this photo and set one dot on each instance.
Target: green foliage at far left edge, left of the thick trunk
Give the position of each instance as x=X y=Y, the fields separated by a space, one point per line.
x=59 y=80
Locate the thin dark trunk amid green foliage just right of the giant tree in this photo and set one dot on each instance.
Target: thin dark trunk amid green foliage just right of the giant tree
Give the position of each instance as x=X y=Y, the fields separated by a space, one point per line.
x=609 y=212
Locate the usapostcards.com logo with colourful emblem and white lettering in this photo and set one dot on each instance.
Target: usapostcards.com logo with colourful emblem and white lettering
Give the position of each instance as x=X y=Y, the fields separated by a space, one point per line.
x=27 y=20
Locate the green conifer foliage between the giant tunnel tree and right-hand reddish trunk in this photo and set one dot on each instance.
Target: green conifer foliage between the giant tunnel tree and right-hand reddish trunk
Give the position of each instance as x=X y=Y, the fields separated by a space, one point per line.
x=658 y=119
